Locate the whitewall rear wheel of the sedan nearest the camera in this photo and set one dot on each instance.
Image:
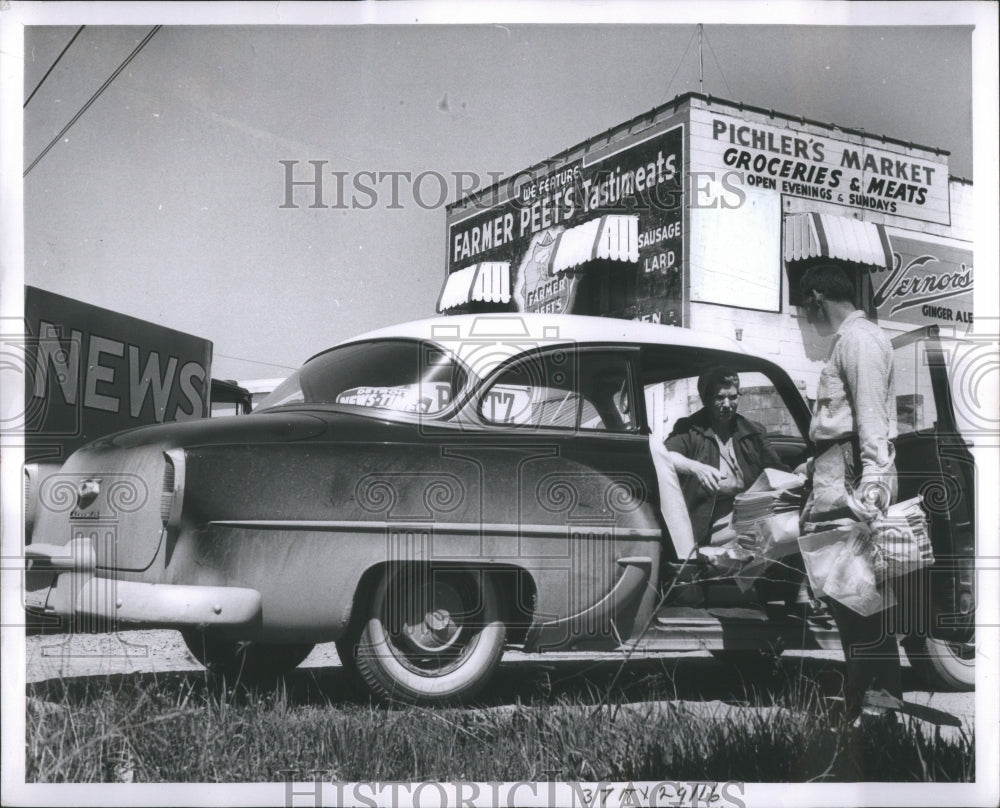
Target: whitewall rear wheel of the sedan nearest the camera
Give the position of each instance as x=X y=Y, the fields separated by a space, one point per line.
x=431 y=637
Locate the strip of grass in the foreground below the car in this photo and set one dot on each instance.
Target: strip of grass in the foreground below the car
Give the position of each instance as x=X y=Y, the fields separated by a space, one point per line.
x=184 y=728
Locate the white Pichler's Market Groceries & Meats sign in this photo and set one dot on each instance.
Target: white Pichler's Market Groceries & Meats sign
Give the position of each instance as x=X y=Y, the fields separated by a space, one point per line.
x=886 y=179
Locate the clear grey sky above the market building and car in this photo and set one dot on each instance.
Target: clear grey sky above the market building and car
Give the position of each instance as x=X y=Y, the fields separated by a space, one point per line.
x=164 y=200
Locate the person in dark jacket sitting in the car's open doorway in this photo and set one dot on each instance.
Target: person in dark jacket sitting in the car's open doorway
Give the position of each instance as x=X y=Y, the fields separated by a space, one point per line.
x=718 y=454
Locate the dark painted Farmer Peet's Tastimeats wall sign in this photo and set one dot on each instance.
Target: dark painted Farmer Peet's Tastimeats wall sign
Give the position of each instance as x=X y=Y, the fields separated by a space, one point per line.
x=640 y=177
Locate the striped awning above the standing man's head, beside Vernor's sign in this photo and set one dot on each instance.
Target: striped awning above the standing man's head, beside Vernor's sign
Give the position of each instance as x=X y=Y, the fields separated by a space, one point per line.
x=822 y=235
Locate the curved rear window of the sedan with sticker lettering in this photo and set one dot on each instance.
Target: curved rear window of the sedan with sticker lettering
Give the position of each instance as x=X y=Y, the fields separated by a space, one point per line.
x=396 y=375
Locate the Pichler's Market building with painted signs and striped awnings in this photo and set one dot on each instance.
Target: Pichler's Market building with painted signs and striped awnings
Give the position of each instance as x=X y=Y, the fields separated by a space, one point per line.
x=703 y=213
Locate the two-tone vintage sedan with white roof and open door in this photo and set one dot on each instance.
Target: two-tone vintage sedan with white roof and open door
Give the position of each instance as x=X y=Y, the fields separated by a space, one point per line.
x=430 y=494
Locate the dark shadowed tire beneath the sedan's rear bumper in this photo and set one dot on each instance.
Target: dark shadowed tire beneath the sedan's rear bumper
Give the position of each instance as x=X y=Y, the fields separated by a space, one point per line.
x=248 y=662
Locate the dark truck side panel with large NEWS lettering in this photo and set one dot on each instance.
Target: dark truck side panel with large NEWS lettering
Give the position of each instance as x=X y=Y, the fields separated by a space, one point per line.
x=90 y=371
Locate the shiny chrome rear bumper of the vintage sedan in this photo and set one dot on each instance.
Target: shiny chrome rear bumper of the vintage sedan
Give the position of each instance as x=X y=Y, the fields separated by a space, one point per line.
x=62 y=581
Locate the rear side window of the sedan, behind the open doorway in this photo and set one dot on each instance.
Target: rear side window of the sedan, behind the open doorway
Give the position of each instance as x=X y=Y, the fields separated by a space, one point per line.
x=562 y=389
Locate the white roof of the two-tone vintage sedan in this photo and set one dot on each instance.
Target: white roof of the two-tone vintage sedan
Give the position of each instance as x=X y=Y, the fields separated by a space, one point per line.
x=483 y=341
